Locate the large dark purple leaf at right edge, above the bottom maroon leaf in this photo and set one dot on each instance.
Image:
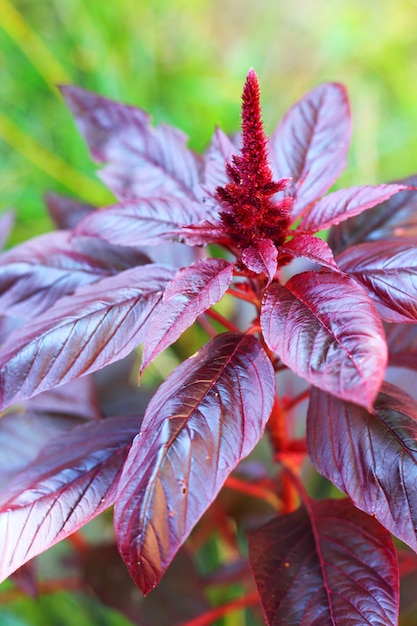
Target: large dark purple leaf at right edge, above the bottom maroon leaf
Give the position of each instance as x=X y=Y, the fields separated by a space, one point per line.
x=372 y=457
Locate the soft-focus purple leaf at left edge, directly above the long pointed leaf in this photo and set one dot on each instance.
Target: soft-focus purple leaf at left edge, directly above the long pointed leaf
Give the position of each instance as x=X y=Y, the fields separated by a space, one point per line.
x=37 y=273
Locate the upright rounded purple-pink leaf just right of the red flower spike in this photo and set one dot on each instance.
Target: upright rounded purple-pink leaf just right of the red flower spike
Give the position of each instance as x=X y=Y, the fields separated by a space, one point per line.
x=311 y=143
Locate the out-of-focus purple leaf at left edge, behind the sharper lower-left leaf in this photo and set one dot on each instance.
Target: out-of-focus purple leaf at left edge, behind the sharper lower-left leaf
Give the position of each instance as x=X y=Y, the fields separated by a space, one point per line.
x=26 y=429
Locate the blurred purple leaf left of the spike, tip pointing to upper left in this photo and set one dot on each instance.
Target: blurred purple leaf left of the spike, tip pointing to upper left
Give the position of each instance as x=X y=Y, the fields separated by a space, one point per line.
x=144 y=161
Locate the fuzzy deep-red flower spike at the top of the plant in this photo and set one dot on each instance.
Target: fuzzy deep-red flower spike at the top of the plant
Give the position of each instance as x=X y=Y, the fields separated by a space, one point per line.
x=250 y=214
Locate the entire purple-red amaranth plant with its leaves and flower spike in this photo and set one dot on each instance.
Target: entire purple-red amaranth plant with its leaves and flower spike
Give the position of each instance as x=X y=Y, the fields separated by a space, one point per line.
x=317 y=351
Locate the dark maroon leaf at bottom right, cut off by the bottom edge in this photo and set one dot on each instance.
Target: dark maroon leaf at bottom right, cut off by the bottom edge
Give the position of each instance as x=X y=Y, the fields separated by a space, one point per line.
x=328 y=565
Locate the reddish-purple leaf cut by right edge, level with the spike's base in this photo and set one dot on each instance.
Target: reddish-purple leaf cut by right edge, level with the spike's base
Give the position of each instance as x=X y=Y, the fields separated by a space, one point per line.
x=388 y=273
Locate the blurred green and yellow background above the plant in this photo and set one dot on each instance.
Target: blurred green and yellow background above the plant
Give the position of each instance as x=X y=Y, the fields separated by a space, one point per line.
x=185 y=62
